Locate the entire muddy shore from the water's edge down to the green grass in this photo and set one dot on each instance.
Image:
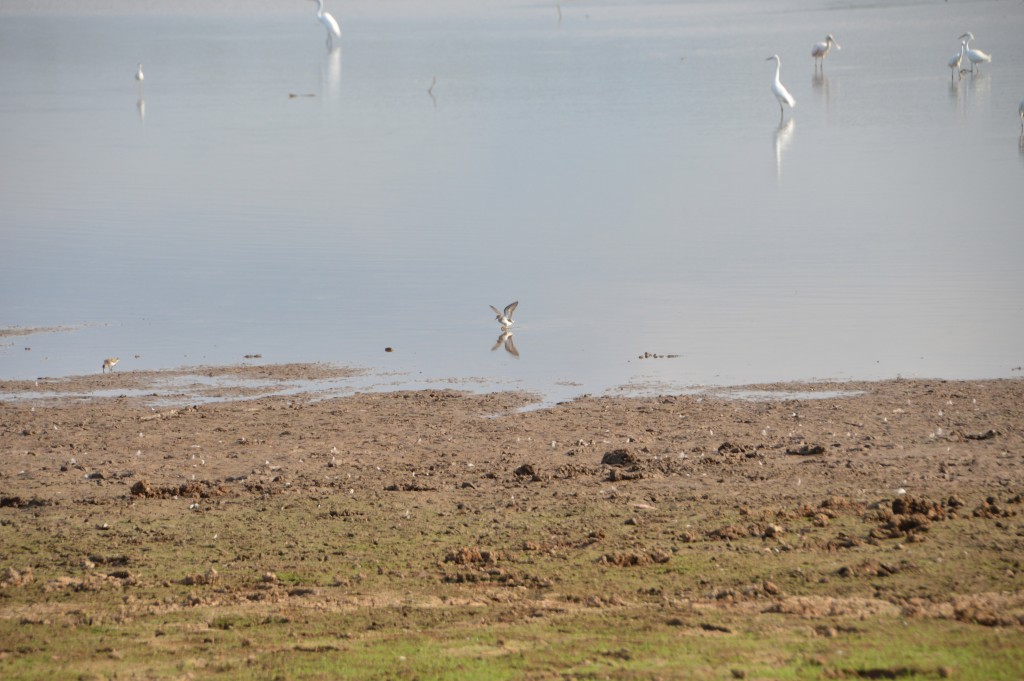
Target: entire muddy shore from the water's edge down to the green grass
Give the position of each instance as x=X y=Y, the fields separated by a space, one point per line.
x=876 y=532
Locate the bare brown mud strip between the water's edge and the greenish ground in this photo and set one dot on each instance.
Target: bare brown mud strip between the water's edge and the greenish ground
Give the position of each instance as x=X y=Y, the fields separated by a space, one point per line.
x=932 y=439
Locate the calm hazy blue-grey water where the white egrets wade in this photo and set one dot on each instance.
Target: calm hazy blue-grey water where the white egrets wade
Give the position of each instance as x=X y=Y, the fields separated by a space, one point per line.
x=620 y=171
